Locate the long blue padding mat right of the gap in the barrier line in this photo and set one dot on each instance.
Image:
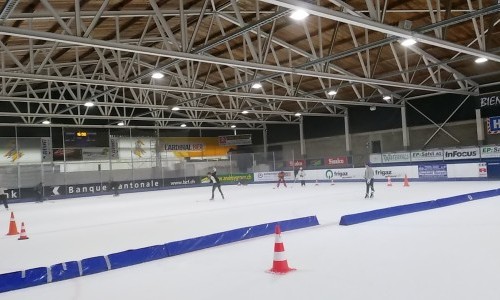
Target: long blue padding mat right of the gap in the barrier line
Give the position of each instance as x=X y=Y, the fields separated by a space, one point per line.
x=414 y=207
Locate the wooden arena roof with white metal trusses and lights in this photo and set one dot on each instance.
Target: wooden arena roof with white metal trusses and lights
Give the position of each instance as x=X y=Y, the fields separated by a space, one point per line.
x=244 y=63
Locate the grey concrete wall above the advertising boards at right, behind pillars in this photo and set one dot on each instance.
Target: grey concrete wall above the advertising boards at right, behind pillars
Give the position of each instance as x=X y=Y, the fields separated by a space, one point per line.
x=391 y=141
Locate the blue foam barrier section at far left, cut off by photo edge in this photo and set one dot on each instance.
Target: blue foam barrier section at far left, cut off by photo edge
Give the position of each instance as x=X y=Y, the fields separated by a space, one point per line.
x=23 y=279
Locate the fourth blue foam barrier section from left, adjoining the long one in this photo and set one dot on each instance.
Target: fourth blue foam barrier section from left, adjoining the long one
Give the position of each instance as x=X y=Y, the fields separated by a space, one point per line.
x=137 y=256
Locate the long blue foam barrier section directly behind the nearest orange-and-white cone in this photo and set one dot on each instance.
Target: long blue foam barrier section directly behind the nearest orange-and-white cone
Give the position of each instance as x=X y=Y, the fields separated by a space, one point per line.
x=221 y=238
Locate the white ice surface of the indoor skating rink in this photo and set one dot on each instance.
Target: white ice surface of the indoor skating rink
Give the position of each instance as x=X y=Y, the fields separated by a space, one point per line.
x=447 y=253
